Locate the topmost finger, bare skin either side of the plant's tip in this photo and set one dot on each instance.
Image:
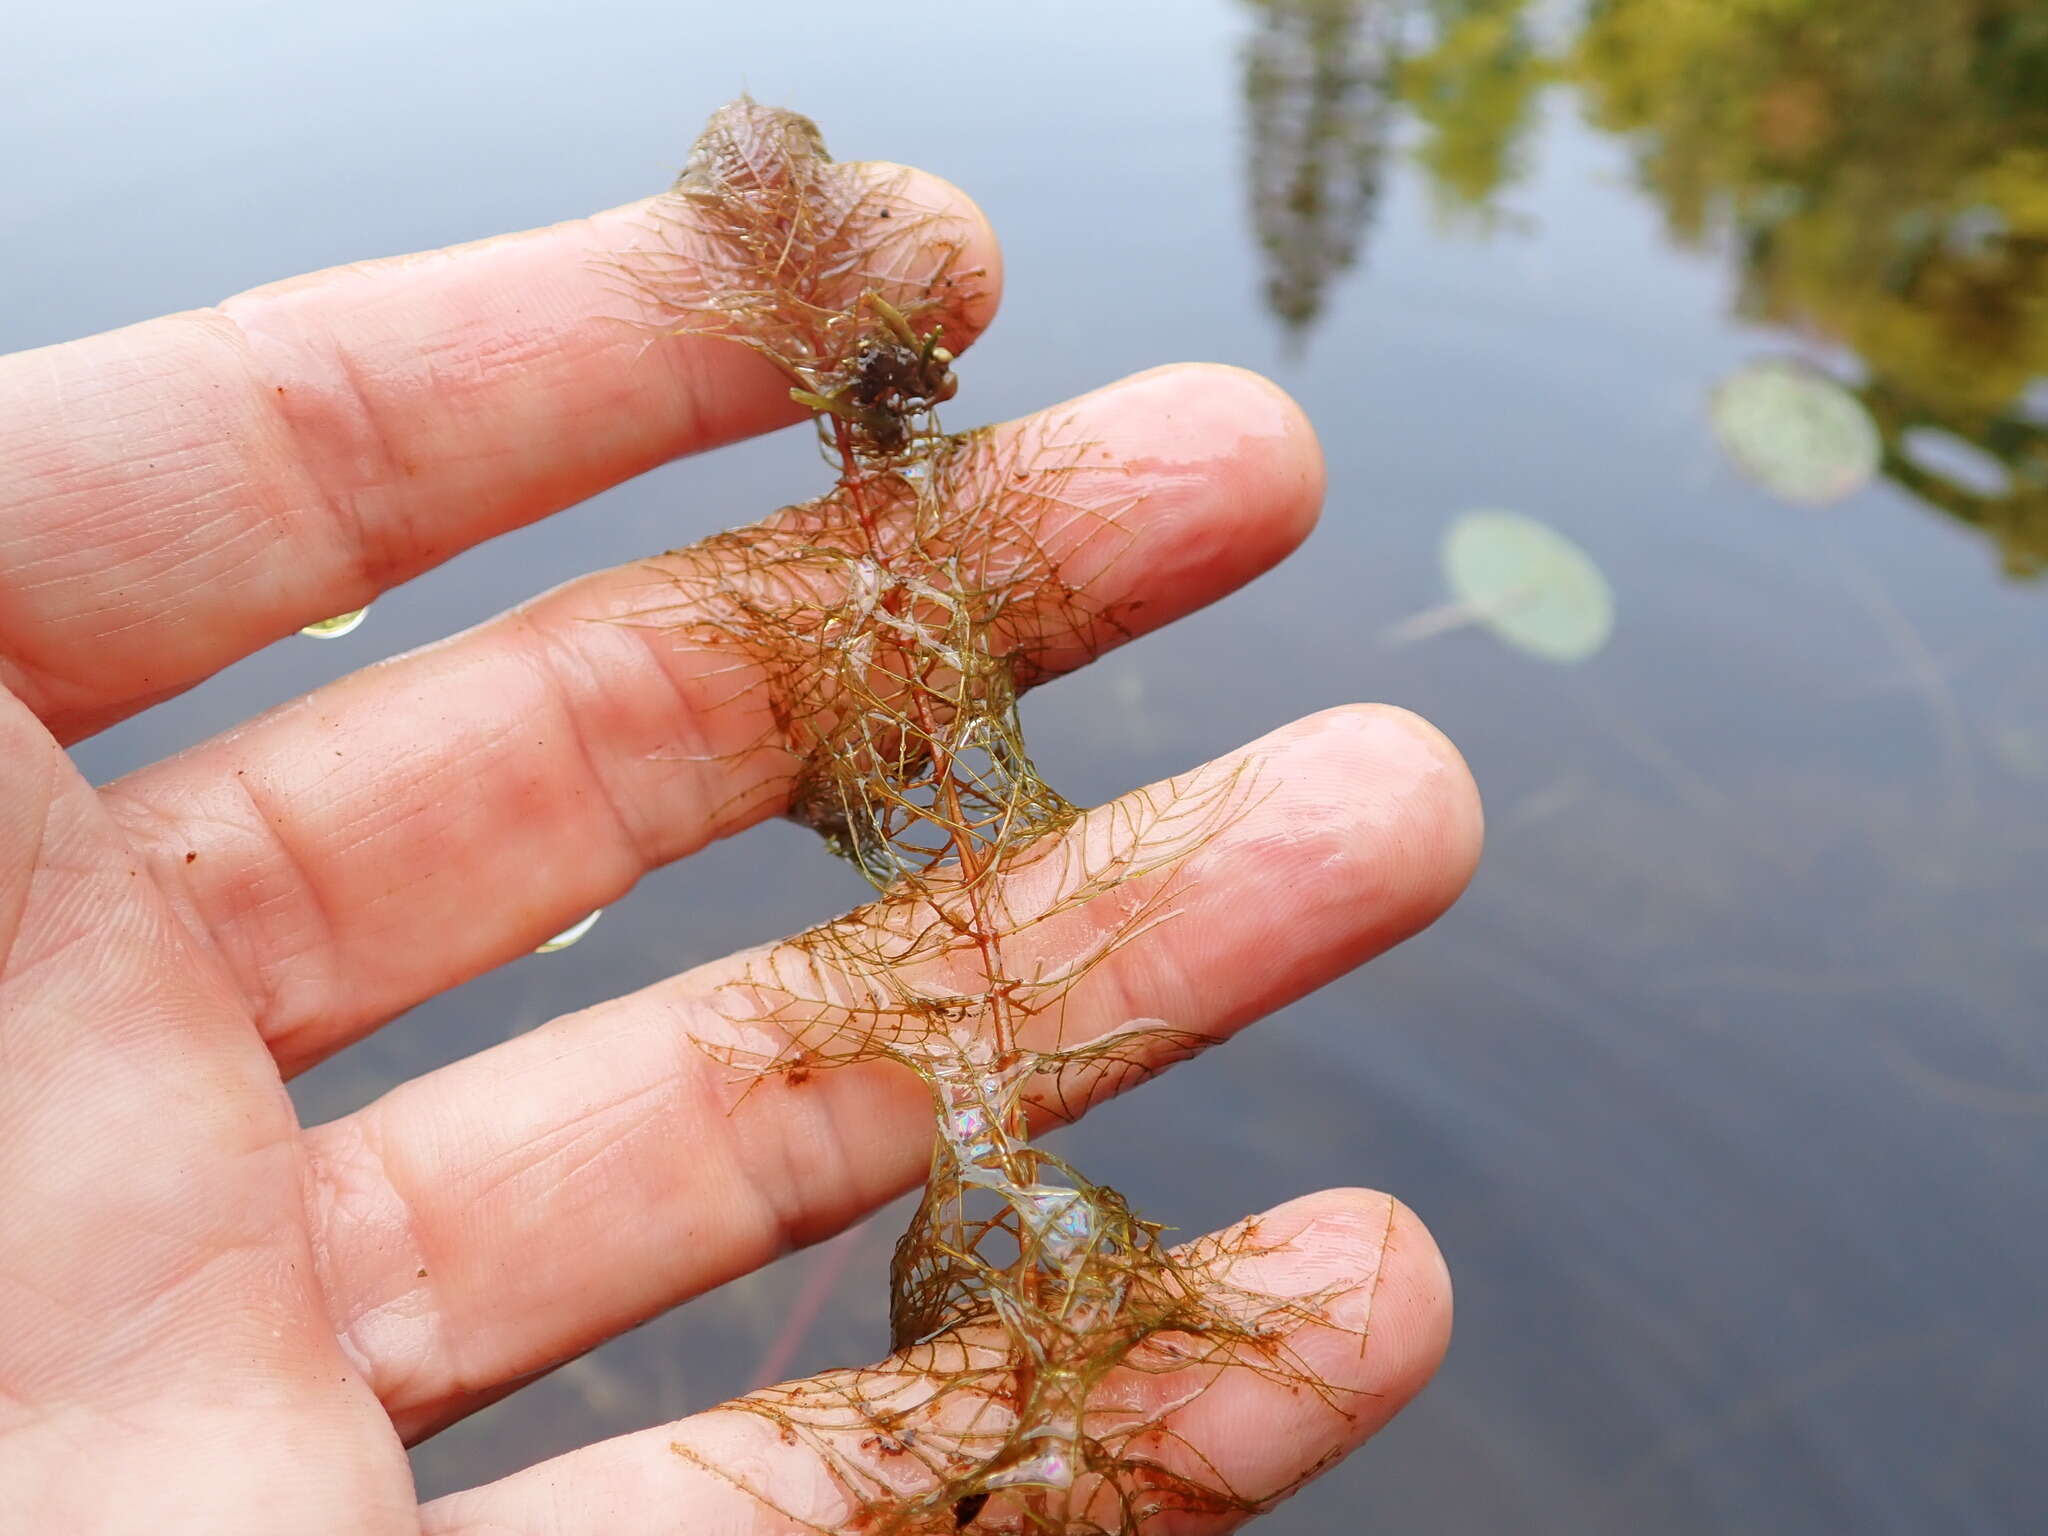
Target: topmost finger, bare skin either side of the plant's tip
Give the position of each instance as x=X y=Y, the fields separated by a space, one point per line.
x=187 y=490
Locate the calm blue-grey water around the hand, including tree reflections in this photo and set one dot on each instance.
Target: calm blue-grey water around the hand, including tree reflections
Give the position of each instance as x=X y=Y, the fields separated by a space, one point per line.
x=1727 y=1089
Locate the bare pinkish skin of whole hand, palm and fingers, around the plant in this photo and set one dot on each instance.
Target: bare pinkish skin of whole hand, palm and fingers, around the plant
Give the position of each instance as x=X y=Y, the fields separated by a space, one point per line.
x=218 y=1320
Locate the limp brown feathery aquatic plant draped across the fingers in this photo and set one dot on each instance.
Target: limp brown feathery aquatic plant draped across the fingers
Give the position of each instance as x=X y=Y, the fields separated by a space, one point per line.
x=1046 y=1334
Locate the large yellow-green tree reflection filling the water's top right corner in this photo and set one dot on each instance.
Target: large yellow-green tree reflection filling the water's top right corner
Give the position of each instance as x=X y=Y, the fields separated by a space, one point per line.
x=1883 y=171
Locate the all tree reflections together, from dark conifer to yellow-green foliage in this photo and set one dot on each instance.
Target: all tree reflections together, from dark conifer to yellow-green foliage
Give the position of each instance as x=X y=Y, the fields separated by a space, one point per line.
x=1877 y=167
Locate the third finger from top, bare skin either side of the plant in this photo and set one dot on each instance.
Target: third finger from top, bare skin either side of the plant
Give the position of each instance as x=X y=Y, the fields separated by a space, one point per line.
x=521 y=1205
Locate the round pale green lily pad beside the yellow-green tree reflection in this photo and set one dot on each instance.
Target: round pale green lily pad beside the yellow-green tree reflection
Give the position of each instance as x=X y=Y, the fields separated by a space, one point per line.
x=1795 y=431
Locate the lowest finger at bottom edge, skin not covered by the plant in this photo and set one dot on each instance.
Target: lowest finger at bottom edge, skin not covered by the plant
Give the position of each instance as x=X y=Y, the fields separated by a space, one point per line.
x=732 y=1469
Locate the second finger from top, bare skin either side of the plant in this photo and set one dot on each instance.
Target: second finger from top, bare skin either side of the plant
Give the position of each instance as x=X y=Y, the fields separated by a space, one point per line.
x=538 y=767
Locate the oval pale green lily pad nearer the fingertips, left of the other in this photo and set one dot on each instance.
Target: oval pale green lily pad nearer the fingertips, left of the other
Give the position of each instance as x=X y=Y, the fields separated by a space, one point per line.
x=1529 y=585
